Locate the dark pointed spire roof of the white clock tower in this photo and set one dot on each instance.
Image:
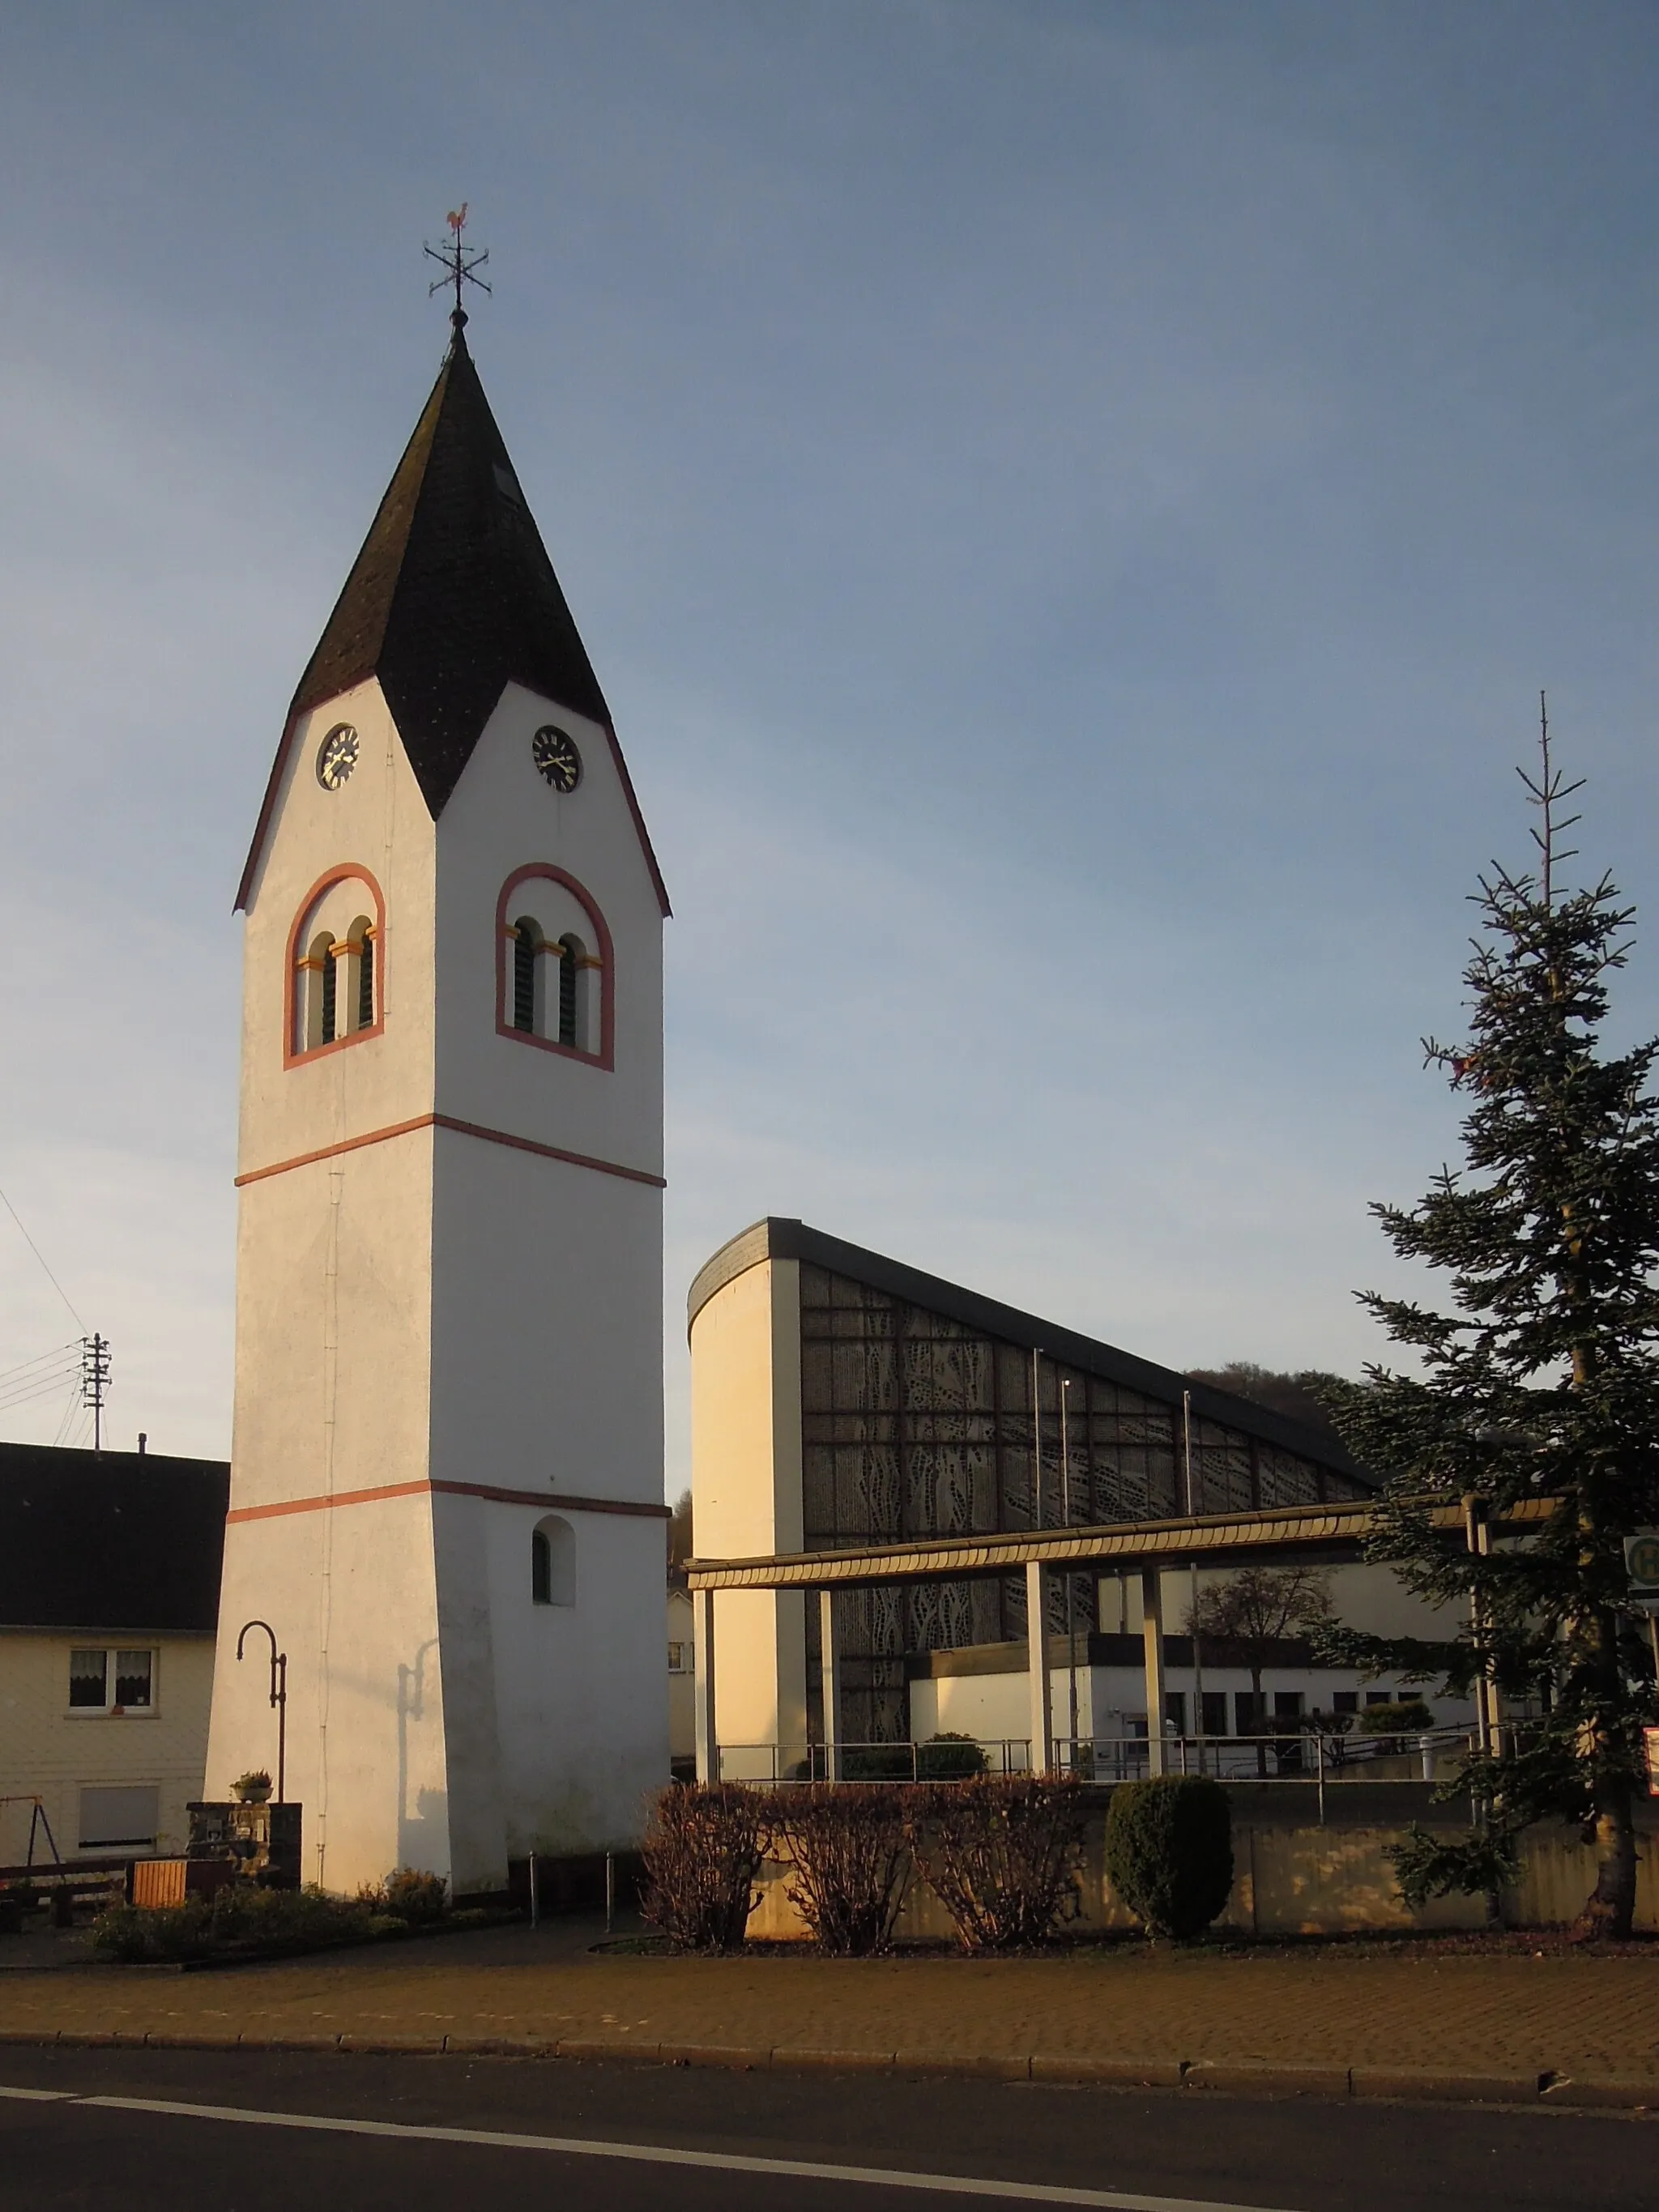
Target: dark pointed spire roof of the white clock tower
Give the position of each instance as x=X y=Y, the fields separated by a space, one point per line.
x=448 y=603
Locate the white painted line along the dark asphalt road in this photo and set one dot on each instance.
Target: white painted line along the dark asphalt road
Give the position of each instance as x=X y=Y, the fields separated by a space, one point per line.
x=574 y=2147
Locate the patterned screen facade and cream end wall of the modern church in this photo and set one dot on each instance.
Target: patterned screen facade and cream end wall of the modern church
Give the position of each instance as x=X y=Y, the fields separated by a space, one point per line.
x=842 y=1401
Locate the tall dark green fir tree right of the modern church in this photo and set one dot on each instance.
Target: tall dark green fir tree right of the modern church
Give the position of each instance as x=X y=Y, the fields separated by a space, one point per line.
x=1536 y=1408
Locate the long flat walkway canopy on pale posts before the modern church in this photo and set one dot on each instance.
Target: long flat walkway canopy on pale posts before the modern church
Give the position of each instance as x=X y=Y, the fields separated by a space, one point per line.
x=1319 y=1534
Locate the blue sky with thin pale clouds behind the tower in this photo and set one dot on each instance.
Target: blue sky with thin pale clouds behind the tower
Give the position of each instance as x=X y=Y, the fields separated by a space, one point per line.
x=1072 y=508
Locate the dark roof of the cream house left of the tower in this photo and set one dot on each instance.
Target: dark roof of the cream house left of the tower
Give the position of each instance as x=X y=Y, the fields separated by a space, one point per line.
x=118 y=1543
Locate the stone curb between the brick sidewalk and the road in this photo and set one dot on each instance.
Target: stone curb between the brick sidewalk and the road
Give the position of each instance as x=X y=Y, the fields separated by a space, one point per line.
x=1222 y=2078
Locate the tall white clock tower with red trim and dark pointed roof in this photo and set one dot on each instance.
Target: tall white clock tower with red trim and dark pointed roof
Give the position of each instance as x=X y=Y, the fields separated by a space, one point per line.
x=446 y=1481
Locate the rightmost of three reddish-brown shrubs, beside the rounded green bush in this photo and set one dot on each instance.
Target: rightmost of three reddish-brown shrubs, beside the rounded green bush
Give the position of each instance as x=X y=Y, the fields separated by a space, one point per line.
x=1001 y=1855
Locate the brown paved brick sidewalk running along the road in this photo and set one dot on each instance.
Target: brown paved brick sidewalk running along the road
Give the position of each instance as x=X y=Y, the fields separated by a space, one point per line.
x=1415 y=2014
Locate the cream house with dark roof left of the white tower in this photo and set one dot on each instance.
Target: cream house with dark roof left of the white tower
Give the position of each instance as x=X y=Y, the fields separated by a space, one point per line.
x=109 y=1596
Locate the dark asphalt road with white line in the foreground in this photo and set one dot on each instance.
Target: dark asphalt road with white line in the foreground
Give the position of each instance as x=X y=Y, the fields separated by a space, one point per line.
x=1010 y=2142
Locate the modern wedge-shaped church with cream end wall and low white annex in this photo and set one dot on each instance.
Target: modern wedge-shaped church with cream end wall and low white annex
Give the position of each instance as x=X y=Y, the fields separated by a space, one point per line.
x=844 y=1401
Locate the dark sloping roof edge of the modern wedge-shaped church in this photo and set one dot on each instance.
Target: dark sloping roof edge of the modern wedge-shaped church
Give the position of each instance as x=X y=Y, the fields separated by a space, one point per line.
x=782 y=1238
